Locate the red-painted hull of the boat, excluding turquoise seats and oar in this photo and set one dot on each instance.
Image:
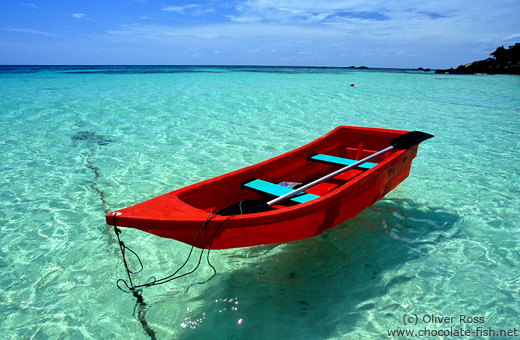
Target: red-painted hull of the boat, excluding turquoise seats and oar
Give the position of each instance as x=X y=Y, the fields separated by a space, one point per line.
x=180 y=214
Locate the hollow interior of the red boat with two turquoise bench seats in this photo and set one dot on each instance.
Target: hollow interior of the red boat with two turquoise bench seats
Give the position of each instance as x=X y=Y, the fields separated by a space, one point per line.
x=269 y=179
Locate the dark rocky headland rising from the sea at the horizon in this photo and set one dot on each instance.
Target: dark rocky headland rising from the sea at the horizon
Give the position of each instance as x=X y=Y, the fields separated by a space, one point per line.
x=503 y=61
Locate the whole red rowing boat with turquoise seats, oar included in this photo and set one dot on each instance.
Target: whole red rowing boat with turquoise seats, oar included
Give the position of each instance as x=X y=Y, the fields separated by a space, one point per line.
x=345 y=187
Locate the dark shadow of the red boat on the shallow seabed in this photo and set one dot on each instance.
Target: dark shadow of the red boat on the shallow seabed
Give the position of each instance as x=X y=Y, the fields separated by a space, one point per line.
x=313 y=288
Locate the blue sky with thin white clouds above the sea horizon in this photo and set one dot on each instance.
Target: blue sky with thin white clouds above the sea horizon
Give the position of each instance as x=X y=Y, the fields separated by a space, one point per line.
x=376 y=33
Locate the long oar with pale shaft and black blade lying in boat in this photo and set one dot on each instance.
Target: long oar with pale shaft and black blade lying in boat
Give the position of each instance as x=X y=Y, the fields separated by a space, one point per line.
x=404 y=141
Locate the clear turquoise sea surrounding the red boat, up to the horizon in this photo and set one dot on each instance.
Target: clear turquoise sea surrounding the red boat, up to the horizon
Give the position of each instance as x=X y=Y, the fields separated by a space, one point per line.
x=79 y=141
